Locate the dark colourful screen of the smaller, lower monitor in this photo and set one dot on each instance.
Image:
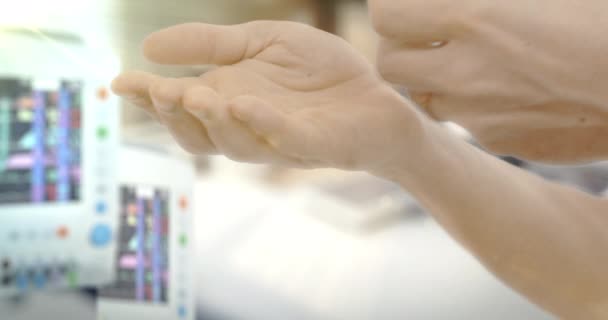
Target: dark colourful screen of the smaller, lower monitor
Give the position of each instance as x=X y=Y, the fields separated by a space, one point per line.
x=142 y=265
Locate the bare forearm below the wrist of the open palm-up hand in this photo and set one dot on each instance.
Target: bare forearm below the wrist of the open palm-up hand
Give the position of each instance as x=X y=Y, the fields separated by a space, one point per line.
x=547 y=241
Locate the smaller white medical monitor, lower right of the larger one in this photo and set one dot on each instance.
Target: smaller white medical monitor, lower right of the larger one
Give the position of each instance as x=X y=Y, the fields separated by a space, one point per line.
x=153 y=259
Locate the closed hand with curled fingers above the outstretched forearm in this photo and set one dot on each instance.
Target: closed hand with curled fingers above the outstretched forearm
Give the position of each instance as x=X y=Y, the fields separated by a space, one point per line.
x=527 y=78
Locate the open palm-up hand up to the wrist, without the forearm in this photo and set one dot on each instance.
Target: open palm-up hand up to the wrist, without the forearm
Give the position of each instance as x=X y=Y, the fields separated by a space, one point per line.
x=283 y=93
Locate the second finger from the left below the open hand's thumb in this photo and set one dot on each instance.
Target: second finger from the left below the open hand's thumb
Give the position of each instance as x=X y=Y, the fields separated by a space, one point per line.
x=190 y=133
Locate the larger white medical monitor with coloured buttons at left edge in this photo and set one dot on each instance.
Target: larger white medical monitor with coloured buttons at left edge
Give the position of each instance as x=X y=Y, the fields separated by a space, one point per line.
x=58 y=155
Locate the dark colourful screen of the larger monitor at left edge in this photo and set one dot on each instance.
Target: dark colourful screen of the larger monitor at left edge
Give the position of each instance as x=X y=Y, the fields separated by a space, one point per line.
x=40 y=141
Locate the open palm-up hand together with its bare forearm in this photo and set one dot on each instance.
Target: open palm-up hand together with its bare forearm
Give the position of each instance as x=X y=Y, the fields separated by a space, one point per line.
x=292 y=95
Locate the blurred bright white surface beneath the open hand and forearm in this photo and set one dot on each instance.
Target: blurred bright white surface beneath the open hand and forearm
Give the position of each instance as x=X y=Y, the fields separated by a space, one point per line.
x=262 y=258
